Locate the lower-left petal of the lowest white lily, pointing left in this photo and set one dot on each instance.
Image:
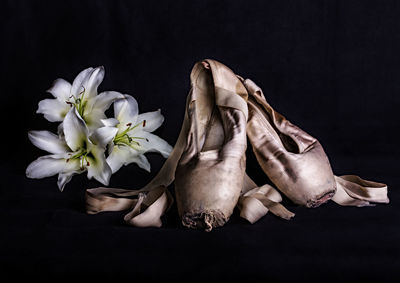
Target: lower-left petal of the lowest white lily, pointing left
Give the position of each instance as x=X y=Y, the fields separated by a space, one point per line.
x=50 y=165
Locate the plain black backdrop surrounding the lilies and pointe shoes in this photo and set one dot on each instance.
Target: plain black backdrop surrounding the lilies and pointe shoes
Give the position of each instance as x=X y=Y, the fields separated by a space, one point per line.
x=331 y=67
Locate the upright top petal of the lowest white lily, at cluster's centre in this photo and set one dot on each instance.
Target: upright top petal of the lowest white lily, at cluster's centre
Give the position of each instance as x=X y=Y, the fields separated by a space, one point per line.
x=75 y=130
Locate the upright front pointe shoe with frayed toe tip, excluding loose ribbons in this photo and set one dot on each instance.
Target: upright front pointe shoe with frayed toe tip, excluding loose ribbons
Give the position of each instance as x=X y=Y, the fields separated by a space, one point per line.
x=209 y=176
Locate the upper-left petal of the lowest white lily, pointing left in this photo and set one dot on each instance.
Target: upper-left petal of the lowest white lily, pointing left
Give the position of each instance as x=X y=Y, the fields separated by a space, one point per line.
x=48 y=141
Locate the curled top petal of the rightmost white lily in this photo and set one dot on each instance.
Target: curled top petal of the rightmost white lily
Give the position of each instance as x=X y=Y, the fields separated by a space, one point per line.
x=126 y=109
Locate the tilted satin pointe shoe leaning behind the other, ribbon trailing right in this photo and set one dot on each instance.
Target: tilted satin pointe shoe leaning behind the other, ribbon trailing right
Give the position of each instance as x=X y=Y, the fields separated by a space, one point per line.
x=296 y=162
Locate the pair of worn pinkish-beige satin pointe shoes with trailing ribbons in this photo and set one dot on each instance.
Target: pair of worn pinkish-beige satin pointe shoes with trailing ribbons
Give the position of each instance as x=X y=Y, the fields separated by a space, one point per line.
x=208 y=162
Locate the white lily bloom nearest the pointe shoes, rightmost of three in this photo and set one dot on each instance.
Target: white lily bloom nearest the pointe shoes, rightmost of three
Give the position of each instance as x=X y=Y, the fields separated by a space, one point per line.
x=133 y=137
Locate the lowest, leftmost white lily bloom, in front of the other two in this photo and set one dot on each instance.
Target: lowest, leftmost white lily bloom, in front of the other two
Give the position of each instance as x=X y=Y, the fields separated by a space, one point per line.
x=72 y=153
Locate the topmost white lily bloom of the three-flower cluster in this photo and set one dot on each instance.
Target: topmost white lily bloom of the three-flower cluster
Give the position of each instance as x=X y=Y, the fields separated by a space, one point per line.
x=83 y=95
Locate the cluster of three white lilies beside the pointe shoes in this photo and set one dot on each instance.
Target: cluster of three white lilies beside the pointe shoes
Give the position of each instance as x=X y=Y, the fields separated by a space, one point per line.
x=85 y=134
